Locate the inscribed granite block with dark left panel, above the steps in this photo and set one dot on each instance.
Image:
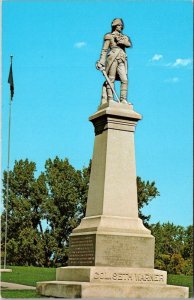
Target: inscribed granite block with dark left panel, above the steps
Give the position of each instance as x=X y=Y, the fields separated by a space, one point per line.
x=112 y=249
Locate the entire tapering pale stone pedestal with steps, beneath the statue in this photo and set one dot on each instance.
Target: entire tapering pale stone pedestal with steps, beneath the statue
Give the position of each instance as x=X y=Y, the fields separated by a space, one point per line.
x=111 y=252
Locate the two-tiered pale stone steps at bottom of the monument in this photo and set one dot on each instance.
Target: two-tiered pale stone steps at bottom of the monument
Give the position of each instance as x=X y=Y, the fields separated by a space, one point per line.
x=93 y=282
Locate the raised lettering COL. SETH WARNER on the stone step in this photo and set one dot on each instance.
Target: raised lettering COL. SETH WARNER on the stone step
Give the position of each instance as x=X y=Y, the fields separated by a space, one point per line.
x=129 y=277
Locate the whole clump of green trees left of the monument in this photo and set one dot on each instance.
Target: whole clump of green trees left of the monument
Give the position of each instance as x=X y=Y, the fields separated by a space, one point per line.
x=42 y=211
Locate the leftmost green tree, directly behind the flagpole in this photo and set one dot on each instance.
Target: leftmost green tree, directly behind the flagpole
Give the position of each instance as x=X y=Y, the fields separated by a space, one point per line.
x=26 y=196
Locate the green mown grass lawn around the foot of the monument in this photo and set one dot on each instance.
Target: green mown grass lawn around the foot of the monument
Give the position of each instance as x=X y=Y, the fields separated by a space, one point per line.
x=30 y=275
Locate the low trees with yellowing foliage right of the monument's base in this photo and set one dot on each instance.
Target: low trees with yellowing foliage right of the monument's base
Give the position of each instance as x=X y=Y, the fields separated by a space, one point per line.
x=173 y=248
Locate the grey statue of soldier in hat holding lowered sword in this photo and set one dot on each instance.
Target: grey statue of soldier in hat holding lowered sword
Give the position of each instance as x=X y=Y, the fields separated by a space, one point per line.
x=113 y=62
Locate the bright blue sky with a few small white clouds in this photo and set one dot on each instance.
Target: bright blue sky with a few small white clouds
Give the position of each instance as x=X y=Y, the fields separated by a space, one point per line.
x=55 y=45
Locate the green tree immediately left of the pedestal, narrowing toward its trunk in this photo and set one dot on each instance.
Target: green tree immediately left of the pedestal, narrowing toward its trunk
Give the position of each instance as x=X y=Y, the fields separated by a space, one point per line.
x=64 y=204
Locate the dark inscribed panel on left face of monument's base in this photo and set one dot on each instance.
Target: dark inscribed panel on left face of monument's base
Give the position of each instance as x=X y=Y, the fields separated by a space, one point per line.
x=82 y=251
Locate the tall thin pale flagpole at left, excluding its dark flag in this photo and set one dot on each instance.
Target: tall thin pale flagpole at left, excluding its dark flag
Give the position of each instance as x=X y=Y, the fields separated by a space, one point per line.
x=8 y=163
